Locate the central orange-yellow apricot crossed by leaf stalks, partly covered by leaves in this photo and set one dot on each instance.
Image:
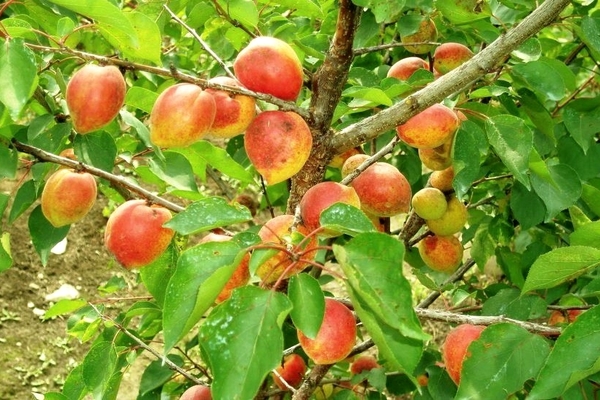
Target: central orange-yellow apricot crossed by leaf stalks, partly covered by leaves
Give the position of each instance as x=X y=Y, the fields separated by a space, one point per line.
x=278 y=231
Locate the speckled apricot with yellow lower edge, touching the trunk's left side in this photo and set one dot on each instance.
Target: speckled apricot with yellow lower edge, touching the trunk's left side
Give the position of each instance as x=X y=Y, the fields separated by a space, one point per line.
x=278 y=143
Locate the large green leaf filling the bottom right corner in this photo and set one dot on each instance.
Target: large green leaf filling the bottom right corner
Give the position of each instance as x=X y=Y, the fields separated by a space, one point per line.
x=575 y=356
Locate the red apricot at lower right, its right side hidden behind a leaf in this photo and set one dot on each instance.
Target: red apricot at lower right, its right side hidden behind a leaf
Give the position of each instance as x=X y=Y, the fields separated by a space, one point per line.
x=455 y=348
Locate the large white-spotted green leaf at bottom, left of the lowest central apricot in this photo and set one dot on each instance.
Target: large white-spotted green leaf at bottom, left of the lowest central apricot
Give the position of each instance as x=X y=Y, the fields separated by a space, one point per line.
x=243 y=341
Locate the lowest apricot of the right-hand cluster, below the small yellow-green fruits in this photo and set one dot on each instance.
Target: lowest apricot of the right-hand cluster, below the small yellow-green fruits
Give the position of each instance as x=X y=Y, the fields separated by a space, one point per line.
x=441 y=253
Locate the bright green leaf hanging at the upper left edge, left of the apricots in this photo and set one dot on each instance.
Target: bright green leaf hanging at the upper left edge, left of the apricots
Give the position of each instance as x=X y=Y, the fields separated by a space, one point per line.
x=18 y=75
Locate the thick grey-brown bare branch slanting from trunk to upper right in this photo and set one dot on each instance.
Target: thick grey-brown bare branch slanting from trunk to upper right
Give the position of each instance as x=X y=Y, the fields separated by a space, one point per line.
x=453 y=82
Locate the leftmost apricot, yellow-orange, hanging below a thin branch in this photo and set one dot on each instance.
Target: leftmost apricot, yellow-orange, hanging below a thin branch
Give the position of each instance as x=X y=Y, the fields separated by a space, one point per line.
x=68 y=196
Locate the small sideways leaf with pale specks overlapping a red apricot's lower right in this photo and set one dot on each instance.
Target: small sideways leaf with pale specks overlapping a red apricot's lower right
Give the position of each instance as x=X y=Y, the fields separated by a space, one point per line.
x=346 y=219
